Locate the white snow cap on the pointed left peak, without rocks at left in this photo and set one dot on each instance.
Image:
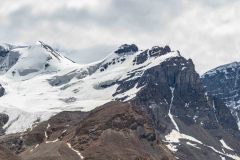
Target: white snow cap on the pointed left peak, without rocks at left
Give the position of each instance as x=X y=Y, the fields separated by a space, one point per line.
x=33 y=59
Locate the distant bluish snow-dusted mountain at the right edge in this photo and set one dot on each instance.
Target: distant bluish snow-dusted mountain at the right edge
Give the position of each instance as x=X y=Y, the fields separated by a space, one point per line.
x=224 y=83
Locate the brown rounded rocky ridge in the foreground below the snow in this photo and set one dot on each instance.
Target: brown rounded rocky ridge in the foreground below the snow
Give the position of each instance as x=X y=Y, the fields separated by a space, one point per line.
x=113 y=131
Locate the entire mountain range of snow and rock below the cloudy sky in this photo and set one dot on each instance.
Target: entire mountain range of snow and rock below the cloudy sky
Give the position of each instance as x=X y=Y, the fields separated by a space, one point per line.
x=134 y=104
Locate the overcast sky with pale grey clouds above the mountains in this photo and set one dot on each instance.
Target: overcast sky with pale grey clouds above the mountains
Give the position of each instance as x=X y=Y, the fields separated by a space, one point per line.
x=208 y=31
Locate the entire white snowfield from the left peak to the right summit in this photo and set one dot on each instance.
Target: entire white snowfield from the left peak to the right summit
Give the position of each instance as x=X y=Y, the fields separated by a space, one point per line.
x=43 y=81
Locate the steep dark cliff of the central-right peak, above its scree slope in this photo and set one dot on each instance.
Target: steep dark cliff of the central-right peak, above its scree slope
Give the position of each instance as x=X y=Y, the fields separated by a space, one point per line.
x=176 y=79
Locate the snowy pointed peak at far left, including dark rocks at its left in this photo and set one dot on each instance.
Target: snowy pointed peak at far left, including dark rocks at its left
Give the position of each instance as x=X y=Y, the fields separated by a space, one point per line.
x=25 y=62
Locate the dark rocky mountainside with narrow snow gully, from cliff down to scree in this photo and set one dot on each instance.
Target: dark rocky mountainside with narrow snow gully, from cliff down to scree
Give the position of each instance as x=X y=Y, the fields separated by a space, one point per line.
x=173 y=96
